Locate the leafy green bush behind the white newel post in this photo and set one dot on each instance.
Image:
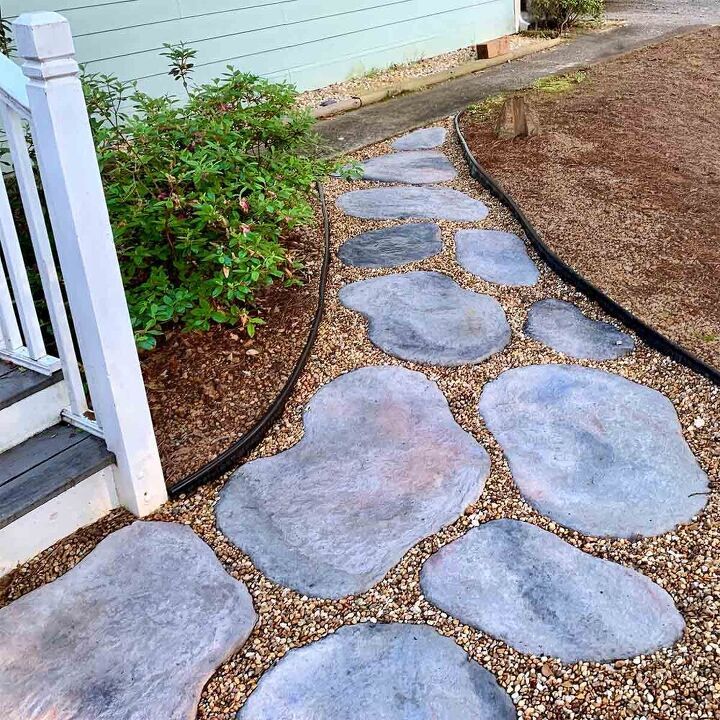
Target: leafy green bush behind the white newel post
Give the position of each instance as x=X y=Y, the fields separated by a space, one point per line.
x=201 y=193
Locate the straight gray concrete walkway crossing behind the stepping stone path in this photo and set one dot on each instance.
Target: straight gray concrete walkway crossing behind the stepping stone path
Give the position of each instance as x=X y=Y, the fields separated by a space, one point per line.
x=646 y=22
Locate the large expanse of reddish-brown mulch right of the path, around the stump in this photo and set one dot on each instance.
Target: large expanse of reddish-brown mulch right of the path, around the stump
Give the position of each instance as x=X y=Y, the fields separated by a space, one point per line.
x=624 y=183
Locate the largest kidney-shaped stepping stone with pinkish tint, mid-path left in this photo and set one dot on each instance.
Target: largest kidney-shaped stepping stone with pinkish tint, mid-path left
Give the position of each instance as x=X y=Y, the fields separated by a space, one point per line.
x=382 y=464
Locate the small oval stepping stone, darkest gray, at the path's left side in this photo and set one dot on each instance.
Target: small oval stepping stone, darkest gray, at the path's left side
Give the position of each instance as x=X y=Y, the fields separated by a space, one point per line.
x=393 y=246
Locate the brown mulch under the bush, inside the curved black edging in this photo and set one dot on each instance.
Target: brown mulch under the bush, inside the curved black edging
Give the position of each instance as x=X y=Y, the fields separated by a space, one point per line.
x=207 y=389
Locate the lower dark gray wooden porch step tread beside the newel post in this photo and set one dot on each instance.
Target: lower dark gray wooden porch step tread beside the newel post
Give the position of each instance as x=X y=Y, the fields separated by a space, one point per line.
x=45 y=465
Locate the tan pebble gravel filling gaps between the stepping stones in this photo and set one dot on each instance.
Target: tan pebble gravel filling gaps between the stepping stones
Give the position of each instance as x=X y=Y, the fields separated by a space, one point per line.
x=682 y=682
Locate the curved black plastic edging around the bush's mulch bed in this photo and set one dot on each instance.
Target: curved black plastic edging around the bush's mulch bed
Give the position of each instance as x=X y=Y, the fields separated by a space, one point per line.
x=241 y=447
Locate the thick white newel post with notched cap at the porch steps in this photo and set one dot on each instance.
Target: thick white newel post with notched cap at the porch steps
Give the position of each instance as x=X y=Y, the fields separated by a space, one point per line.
x=83 y=237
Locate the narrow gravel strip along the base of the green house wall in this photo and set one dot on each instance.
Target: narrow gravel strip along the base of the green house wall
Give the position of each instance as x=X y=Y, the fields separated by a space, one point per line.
x=379 y=78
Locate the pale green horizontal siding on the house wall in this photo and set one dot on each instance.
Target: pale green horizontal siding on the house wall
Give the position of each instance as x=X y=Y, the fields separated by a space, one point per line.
x=308 y=42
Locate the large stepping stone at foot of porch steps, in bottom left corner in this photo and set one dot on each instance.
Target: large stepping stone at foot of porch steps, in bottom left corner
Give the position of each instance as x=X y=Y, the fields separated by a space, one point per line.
x=133 y=631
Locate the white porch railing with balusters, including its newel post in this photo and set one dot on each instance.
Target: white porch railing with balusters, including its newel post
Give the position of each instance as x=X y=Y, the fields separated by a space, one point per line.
x=46 y=96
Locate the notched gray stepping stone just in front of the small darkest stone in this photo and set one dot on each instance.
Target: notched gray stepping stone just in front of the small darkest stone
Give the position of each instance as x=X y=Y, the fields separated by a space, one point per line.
x=427 y=317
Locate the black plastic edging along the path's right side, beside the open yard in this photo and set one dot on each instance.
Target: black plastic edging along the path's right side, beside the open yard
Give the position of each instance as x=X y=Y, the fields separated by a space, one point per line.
x=644 y=331
